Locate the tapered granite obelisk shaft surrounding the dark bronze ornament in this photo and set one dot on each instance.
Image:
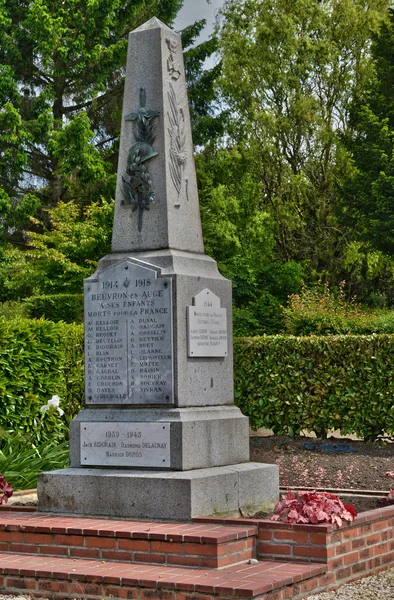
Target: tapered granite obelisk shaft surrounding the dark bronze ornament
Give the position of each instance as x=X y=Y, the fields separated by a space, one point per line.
x=155 y=64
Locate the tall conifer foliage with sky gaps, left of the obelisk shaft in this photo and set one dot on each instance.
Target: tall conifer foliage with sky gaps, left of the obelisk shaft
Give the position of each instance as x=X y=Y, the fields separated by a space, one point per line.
x=61 y=72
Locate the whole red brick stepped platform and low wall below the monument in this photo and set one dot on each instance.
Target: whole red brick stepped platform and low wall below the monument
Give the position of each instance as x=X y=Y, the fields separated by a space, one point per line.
x=294 y=560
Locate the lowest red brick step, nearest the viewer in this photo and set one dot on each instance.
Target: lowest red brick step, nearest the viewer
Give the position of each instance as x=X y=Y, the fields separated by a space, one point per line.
x=62 y=578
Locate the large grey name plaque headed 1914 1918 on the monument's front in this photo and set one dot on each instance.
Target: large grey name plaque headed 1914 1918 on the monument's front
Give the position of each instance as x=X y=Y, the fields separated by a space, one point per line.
x=128 y=336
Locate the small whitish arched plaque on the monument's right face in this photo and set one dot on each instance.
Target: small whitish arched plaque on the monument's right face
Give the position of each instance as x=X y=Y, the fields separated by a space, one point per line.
x=207 y=326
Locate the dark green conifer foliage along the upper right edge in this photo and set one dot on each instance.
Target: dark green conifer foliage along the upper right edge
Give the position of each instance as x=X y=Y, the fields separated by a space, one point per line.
x=368 y=188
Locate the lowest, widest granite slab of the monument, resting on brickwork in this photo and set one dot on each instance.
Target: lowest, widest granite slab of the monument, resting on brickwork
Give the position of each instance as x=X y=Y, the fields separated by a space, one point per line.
x=176 y=496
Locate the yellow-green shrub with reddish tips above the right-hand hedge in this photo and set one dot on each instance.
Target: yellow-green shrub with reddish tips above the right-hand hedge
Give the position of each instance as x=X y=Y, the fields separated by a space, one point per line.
x=321 y=311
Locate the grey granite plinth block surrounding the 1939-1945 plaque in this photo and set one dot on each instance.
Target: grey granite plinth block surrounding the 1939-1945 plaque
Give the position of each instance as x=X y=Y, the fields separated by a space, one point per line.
x=198 y=437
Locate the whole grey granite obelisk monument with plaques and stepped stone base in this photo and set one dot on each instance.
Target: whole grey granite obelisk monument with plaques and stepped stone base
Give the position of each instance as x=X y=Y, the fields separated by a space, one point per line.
x=159 y=437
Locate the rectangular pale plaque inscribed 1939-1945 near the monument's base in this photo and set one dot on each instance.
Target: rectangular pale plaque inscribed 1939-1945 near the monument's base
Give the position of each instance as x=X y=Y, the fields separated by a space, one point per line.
x=125 y=444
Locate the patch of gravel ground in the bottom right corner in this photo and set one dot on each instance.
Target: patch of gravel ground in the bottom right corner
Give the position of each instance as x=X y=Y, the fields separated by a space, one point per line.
x=376 y=587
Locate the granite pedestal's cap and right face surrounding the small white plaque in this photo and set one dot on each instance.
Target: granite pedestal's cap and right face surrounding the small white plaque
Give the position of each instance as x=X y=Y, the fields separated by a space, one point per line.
x=201 y=381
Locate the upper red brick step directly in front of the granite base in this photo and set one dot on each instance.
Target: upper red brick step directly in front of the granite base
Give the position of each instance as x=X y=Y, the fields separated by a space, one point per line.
x=205 y=545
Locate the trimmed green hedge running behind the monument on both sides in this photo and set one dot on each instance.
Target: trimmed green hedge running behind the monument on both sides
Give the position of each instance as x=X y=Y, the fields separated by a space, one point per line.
x=284 y=383
